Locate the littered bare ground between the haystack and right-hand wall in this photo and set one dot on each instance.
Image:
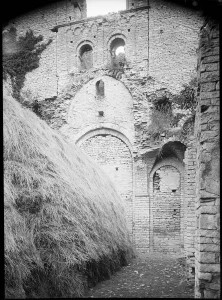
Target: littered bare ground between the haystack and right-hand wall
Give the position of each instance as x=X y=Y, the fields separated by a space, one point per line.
x=153 y=276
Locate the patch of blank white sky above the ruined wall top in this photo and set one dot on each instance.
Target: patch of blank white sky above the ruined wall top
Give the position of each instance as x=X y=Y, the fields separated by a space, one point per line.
x=103 y=7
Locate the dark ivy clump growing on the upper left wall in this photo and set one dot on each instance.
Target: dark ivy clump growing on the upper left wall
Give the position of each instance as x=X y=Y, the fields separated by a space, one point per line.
x=25 y=59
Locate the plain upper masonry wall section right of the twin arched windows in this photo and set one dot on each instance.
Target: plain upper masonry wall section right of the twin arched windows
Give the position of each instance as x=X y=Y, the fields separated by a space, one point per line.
x=173 y=40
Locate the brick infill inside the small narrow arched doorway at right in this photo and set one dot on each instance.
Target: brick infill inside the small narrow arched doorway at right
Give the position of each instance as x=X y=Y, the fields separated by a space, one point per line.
x=166 y=209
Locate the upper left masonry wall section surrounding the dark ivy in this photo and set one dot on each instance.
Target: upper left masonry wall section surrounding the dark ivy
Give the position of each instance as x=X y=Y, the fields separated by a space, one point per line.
x=43 y=81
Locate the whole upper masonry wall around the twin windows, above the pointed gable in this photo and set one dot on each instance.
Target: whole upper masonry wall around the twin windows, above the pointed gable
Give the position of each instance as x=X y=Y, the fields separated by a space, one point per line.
x=160 y=43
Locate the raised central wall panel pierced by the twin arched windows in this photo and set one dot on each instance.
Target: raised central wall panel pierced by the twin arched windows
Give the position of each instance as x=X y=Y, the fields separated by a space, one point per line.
x=99 y=33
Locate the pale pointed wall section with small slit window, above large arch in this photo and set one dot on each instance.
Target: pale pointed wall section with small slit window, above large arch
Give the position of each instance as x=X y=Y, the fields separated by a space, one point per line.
x=113 y=109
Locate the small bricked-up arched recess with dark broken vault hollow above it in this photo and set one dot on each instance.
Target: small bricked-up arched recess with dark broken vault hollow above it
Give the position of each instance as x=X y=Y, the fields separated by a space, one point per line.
x=166 y=186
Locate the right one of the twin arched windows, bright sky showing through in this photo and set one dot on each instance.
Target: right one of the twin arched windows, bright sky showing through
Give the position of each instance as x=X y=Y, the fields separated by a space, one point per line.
x=117 y=51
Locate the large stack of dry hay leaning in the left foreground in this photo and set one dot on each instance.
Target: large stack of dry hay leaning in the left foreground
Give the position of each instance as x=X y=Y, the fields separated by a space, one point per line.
x=64 y=222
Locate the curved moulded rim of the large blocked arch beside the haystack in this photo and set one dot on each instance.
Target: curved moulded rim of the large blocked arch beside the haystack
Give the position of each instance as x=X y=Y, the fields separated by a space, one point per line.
x=93 y=131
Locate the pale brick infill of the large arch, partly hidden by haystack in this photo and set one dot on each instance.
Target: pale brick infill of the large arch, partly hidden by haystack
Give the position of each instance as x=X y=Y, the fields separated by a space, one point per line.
x=114 y=157
